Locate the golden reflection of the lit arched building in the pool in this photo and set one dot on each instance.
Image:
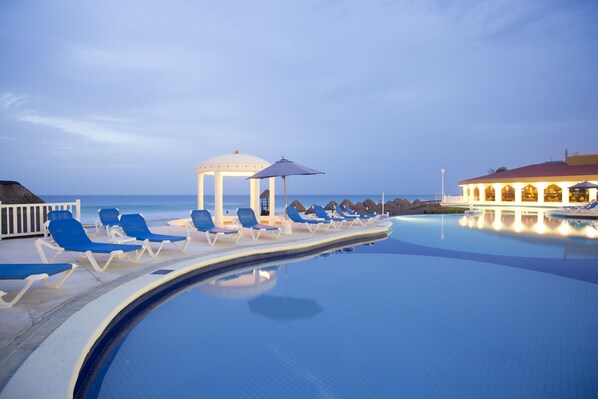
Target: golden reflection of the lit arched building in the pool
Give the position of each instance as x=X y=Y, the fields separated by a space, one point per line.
x=528 y=221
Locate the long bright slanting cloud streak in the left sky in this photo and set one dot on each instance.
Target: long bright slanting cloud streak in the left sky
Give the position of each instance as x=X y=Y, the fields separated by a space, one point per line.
x=93 y=131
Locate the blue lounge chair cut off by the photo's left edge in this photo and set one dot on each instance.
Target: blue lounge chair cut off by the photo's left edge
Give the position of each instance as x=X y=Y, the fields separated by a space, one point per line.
x=32 y=272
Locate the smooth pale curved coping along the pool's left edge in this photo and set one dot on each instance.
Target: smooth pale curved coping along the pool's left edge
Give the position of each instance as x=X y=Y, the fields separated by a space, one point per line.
x=52 y=369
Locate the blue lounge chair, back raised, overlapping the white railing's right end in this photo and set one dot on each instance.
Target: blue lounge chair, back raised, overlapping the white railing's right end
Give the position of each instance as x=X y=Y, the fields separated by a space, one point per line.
x=69 y=236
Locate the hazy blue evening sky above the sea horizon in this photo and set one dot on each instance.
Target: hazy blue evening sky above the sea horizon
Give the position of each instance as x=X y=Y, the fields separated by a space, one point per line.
x=122 y=97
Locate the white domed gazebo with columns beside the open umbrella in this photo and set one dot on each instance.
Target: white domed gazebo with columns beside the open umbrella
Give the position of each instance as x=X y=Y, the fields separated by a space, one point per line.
x=233 y=165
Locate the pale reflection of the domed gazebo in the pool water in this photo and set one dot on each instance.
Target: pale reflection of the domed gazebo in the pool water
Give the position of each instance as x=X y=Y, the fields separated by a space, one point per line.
x=241 y=285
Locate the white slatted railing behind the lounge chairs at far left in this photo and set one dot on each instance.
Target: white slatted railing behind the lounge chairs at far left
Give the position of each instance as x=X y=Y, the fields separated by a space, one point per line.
x=17 y=220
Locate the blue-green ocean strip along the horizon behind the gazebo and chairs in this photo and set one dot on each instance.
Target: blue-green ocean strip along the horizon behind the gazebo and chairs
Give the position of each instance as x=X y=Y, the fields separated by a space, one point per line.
x=158 y=209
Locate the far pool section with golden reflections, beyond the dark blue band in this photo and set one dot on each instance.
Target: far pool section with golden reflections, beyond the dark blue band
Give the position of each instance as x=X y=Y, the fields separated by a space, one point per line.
x=509 y=232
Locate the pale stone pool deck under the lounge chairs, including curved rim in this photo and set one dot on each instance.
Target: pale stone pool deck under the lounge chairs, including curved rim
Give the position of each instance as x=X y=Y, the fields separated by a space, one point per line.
x=46 y=336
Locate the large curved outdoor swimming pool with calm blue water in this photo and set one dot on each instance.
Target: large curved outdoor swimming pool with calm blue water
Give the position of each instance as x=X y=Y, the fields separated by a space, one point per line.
x=486 y=315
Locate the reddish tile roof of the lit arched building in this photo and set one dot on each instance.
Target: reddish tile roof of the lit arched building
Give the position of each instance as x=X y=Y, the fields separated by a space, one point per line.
x=550 y=170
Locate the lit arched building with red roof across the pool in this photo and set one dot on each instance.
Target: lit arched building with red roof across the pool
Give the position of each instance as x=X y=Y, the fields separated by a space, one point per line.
x=546 y=184
